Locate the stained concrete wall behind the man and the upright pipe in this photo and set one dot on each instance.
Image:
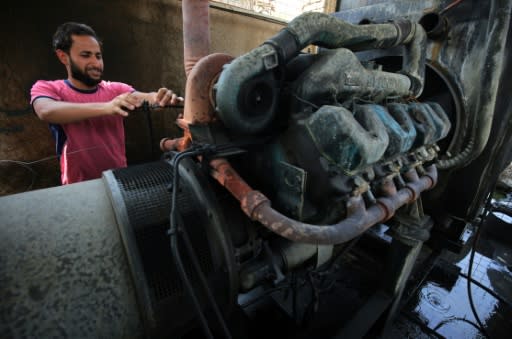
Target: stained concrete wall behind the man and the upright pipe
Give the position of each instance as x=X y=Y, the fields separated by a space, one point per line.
x=143 y=46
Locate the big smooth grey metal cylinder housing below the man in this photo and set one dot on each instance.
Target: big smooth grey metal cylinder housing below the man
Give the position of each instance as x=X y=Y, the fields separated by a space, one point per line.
x=63 y=271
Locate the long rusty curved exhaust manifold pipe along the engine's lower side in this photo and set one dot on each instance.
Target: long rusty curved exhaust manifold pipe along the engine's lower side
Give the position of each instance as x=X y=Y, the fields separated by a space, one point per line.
x=359 y=218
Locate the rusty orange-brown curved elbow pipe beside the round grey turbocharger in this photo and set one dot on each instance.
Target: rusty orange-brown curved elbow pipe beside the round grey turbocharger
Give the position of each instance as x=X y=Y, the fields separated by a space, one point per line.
x=198 y=106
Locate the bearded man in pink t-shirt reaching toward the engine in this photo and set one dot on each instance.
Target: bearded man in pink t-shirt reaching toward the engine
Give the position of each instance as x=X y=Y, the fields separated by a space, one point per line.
x=88 y=110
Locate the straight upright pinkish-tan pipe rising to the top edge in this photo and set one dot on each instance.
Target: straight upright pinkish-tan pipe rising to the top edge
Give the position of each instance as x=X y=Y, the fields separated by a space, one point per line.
x=196 y=32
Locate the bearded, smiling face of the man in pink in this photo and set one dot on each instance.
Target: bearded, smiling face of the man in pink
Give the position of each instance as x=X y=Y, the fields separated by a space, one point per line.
x=86 y=61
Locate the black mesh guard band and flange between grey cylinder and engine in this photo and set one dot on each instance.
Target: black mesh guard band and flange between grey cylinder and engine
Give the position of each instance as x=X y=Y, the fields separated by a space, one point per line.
x=142 y=202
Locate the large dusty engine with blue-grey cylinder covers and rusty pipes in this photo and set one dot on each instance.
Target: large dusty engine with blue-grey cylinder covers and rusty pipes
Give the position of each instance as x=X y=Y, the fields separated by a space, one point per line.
x=304 y=154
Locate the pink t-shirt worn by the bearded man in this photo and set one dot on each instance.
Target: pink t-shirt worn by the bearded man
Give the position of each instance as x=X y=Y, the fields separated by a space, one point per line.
x=93 y=145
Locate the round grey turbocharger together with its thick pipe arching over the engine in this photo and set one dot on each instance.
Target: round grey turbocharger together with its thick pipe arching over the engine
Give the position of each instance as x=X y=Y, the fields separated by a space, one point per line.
x=254 y=70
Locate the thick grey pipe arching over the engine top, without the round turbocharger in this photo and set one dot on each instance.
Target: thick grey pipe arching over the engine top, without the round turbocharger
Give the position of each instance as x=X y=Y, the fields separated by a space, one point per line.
x=327 y=31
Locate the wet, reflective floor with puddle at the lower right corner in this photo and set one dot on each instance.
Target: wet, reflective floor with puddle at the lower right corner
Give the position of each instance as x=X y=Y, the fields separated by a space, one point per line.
x=440 y=307
